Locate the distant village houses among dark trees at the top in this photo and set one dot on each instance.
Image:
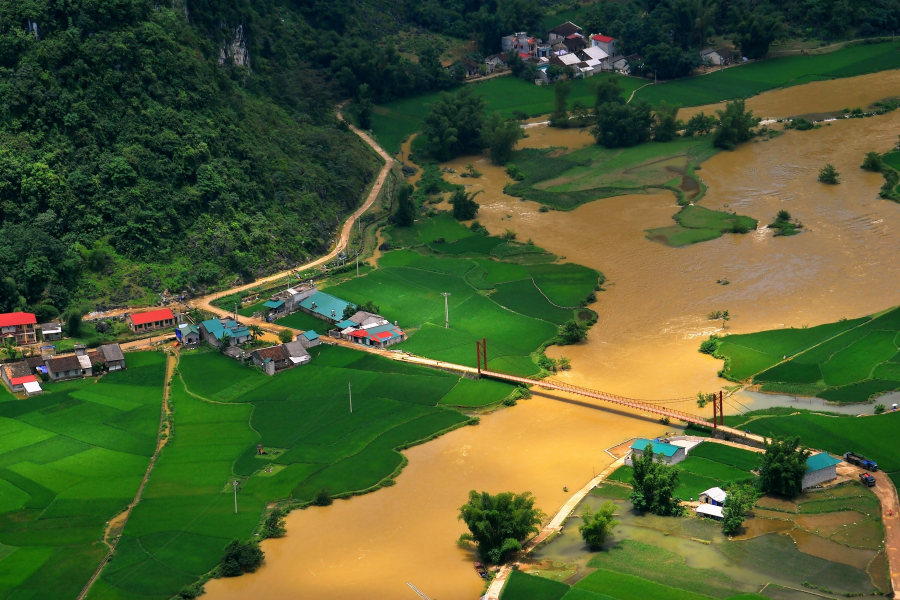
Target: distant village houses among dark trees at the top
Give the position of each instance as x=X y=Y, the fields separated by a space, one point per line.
x=569 y=47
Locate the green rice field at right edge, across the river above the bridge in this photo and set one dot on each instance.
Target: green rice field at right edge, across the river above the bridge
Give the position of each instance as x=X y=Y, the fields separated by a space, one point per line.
x=848 y=361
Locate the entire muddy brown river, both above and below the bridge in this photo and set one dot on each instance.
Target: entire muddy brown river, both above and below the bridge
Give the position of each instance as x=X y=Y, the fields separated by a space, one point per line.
x=652 y=319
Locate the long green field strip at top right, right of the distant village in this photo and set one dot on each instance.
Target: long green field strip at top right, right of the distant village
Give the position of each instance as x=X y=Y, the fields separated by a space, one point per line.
x=748 y=80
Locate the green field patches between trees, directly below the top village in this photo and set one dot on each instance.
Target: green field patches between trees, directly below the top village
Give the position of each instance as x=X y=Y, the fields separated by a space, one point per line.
x=395 y=121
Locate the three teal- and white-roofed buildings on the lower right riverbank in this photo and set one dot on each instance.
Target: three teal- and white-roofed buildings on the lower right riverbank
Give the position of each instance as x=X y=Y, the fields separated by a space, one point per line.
x=820 y=468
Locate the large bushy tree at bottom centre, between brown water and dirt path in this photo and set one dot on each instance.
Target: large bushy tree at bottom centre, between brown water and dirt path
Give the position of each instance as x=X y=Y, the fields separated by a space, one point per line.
x=499 y=523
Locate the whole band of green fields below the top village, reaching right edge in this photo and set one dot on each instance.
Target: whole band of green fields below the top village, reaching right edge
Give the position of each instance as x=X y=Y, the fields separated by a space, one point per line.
x=395 y=121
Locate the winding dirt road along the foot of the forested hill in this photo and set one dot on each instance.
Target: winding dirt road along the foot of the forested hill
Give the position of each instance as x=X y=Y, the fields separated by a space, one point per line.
x=205 y=302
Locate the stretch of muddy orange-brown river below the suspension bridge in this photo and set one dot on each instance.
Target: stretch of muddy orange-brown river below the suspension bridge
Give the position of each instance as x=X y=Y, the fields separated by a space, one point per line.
x=370 y=546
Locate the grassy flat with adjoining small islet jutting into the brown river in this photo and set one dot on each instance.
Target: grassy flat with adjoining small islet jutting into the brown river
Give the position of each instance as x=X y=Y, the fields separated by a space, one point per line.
x=568 y=179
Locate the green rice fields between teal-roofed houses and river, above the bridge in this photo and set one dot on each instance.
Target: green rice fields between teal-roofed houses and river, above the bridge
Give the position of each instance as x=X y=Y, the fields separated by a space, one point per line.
x=511 y=294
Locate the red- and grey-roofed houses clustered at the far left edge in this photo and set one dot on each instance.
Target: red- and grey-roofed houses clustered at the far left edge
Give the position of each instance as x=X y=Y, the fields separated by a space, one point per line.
x=24 y=376
